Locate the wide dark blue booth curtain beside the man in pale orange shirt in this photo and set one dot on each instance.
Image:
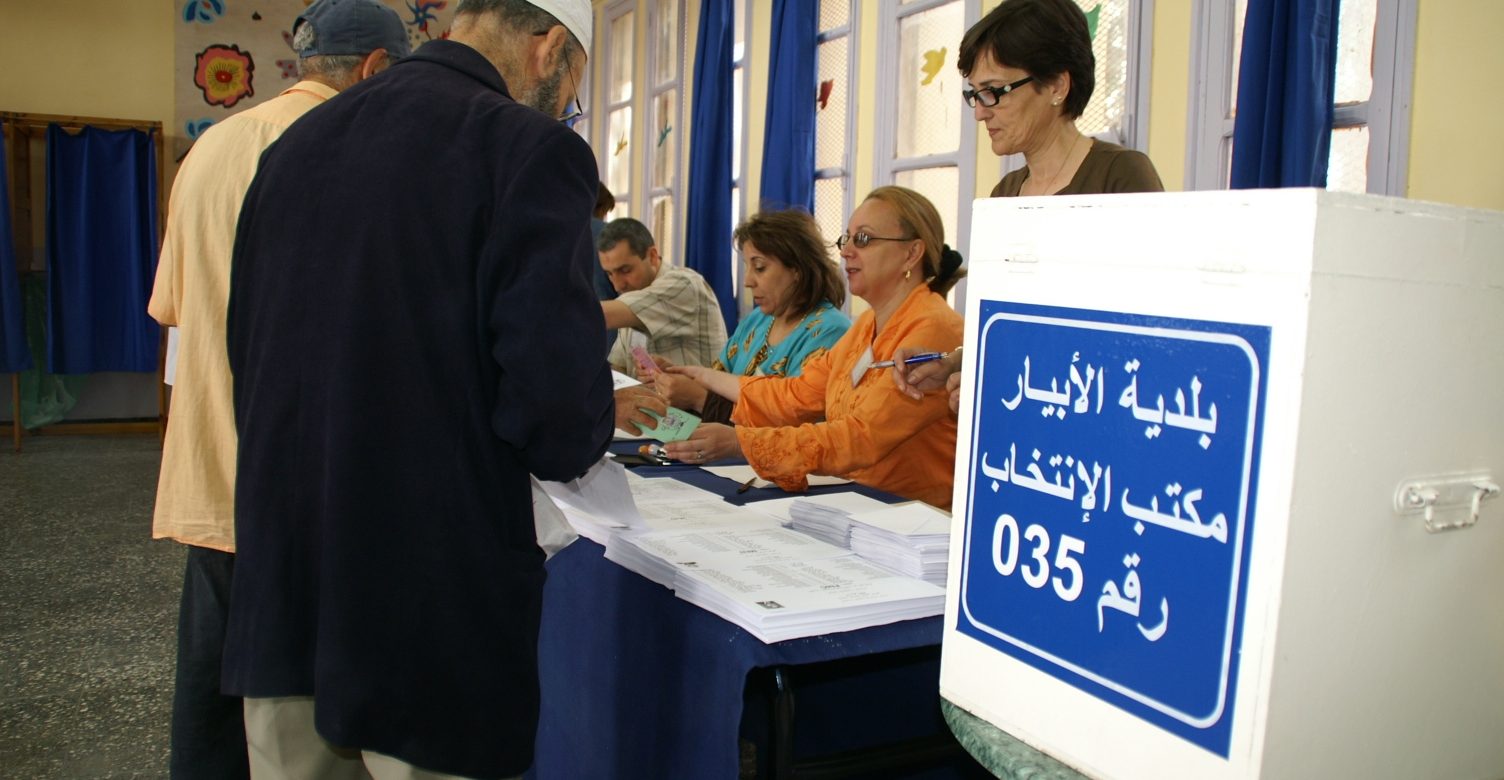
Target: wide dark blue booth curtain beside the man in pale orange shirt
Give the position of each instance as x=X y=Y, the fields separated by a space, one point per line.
x=102 y=252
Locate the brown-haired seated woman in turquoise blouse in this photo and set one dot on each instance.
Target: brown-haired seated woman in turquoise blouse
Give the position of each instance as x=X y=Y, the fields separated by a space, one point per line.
x=796 y=295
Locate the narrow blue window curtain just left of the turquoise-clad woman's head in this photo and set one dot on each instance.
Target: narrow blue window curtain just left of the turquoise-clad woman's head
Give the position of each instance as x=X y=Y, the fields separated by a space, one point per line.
x=709 y=211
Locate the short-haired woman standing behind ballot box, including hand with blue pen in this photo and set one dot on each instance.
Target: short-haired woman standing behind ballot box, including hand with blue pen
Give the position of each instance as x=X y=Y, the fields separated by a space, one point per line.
x=1032 y=71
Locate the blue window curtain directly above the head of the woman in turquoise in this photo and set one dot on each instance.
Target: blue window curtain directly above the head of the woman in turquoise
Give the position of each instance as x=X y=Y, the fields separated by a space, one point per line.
x=789 y=160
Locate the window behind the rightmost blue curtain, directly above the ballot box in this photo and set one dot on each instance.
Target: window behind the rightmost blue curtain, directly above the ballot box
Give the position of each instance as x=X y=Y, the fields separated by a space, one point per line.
x=1371 y=125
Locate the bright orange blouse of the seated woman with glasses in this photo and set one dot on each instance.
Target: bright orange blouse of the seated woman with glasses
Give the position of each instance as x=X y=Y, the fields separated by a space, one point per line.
x=875 y=435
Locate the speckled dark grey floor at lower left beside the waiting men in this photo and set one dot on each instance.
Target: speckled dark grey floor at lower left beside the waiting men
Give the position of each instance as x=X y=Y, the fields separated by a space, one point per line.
x=88 y=611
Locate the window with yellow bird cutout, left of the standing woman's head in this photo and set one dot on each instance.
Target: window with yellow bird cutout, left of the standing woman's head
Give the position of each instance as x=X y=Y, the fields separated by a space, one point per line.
x=926 y=138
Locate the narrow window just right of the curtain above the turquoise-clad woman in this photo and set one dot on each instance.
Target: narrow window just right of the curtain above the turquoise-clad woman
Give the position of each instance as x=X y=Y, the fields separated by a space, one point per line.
x=834 y=116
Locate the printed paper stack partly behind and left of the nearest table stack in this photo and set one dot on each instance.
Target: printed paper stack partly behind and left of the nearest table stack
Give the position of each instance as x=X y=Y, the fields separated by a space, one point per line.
x=661 y=555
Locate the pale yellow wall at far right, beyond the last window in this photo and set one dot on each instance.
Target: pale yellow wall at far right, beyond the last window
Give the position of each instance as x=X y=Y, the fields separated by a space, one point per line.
x=1455 y=156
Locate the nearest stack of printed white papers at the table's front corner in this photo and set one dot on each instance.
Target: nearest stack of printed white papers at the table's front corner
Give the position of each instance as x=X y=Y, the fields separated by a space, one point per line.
x=781 y=600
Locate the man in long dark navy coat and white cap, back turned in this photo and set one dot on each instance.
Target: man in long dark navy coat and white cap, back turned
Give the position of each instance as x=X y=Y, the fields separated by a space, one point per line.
x=413 y=333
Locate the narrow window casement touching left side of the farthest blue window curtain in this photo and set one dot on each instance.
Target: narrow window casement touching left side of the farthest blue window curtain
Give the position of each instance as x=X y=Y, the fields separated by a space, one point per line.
x=667 y=65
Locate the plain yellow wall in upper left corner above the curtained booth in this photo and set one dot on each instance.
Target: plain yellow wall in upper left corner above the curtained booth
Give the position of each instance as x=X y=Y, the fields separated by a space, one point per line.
x=89 y=58
